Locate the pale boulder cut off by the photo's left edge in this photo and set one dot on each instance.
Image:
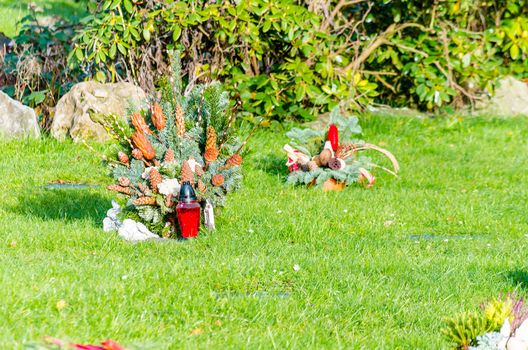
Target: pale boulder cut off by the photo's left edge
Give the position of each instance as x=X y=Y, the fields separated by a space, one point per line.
x=17 y=120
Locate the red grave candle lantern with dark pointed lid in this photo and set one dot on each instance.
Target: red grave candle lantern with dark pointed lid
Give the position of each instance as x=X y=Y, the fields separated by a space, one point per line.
x=188 y=211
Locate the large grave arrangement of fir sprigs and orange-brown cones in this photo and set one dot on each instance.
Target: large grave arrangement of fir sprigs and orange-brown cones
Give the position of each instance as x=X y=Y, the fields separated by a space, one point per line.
x=177 y=138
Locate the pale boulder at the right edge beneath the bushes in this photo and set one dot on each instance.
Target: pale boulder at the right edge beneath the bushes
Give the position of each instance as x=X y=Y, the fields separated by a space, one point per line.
x=510 y=98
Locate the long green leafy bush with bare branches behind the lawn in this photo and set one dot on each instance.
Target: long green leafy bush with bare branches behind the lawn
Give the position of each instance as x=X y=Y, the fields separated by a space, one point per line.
x=304 y=58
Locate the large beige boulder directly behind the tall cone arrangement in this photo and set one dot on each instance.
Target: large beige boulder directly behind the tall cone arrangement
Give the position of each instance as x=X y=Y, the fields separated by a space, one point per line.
x=73 y=111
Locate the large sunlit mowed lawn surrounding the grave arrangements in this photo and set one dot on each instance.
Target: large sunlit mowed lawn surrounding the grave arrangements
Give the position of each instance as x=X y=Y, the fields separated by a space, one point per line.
x=379 y=268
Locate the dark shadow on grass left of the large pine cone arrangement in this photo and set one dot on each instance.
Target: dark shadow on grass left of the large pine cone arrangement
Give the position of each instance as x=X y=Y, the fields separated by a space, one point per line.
x=67 y=205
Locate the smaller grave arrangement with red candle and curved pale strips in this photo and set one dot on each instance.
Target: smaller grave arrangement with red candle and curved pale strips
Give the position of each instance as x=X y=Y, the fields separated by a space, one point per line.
x=332 y=158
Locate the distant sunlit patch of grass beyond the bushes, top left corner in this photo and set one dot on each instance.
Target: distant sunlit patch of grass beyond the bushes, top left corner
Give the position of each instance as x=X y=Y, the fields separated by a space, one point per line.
x=12 y=11
